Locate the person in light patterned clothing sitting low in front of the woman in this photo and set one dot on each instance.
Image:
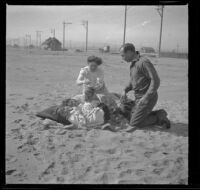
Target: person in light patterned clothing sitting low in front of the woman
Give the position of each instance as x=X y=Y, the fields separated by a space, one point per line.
x=91 y=113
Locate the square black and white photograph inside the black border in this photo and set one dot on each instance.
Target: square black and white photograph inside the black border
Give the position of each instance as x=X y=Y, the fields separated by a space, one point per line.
x=96 y=94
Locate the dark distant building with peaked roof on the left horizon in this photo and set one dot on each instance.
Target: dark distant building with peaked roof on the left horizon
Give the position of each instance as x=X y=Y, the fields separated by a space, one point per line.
x=52 y=44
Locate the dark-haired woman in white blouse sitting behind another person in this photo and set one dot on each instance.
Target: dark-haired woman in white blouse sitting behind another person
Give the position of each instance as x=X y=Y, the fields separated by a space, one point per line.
x=93 y=76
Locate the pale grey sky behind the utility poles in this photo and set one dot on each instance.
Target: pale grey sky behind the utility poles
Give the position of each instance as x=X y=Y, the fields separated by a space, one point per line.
x=105 y=25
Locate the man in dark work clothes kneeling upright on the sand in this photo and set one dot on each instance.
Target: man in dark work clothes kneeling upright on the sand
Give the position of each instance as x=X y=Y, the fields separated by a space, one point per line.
x=144 y=81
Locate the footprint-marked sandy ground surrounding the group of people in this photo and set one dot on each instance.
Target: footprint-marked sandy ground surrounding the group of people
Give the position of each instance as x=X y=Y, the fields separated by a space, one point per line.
x=37 y=153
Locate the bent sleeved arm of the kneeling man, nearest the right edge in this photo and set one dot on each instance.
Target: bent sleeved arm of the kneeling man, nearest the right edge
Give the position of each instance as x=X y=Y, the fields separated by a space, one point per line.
x=150 y=72
